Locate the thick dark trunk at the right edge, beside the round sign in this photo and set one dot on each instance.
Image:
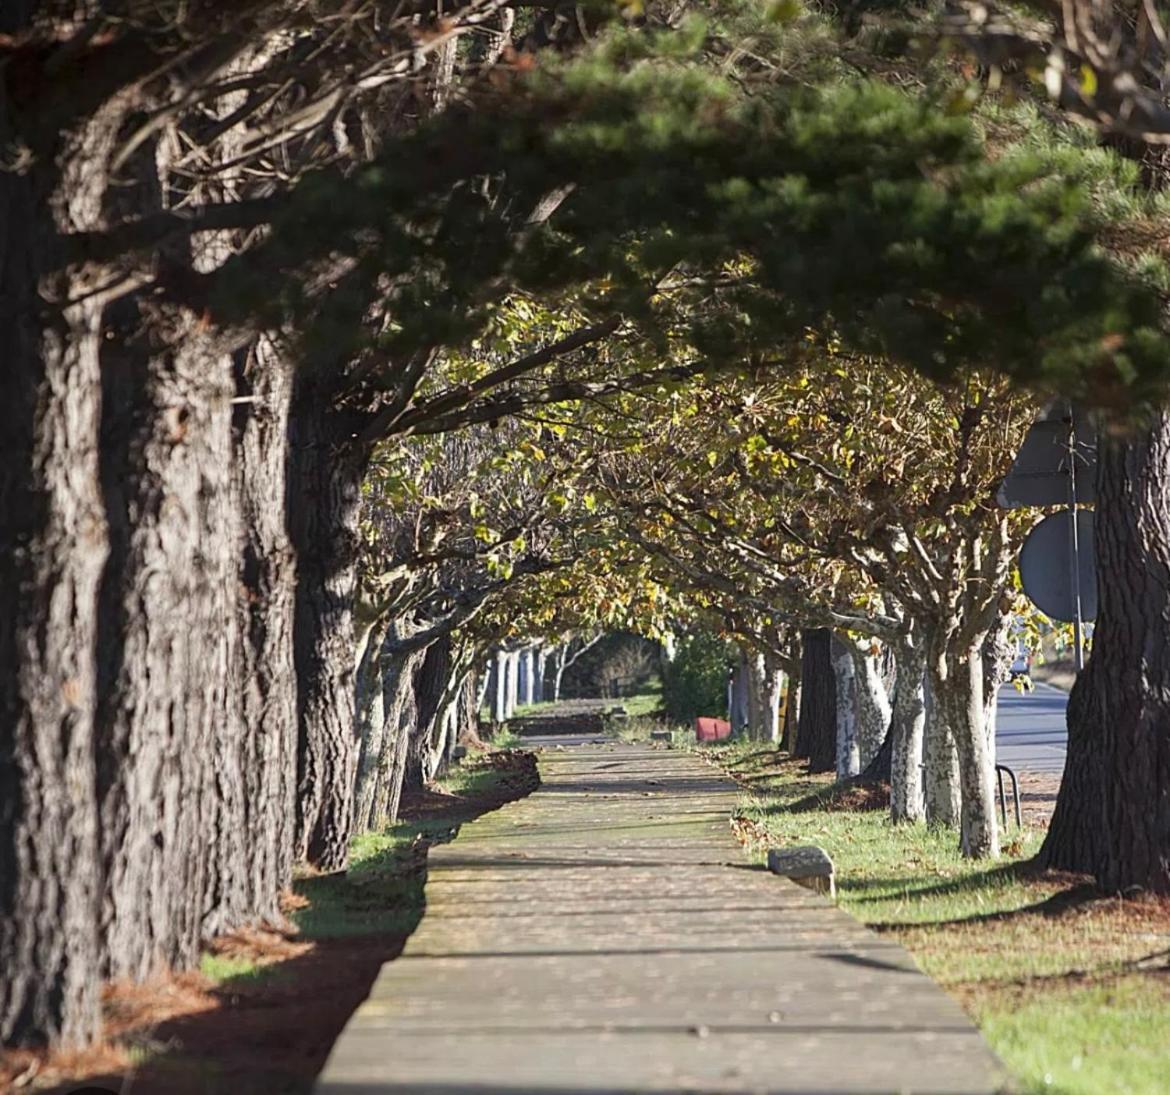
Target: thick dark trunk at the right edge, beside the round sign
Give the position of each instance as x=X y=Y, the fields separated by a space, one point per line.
x=1113 y=812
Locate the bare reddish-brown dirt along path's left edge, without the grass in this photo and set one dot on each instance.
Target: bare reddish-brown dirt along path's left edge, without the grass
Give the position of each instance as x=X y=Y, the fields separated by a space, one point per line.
x=185 y=1035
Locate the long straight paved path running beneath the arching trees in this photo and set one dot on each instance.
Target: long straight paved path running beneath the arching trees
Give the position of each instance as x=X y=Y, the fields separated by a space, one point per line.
x=607 y=935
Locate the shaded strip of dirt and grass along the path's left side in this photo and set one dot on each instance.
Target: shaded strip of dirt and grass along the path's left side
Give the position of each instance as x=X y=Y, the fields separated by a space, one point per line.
x=261 y=1015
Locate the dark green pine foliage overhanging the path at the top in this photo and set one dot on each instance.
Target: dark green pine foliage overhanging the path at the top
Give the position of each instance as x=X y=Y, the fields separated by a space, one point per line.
x=841 y=203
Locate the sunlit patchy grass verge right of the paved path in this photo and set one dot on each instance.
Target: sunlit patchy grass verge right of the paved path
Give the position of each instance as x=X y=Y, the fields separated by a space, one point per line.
x=1071 y=989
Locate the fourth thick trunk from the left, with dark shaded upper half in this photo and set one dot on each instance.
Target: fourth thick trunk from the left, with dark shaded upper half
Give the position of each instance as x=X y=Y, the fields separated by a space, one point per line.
x=326 y=472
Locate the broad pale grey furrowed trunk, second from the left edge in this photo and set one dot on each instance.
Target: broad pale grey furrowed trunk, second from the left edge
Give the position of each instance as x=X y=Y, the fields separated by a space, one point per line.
x=170 y=742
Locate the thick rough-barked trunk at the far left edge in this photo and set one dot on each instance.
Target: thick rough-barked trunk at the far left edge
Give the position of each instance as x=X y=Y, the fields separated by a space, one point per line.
x=53 y=547
